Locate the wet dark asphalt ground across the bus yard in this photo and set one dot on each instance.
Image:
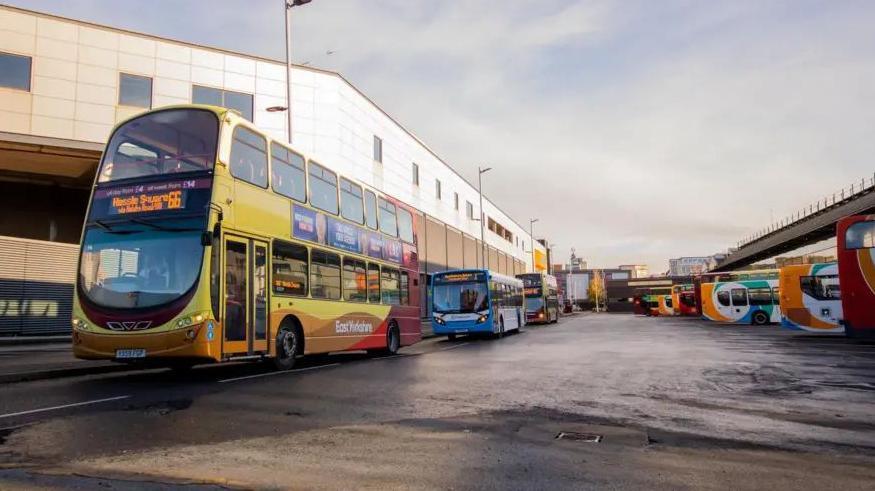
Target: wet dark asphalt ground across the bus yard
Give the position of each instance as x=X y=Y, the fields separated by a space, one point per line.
x=676 y=402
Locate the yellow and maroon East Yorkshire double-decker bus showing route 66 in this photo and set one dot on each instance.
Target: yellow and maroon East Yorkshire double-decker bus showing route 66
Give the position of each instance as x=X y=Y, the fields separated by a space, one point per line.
x=205 y=240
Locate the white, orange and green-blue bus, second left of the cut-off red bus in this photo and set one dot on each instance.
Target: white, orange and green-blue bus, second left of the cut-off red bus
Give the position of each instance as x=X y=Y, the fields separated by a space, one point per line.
x=742 y=301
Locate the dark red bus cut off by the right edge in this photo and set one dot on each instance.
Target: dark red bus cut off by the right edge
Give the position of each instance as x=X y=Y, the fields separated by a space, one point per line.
x=855 y=237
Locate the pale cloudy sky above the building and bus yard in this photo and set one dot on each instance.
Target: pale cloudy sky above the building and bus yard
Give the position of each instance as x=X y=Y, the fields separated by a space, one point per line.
x=635 y=131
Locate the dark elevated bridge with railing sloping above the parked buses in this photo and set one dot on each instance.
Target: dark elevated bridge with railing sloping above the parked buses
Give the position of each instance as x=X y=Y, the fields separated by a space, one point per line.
x=807 y=226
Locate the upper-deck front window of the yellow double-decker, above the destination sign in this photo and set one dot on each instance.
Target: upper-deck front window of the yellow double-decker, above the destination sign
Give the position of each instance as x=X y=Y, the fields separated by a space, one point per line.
x=164 y=142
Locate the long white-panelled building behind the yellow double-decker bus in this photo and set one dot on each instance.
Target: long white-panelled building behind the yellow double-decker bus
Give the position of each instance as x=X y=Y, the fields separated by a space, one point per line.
x=64 y=84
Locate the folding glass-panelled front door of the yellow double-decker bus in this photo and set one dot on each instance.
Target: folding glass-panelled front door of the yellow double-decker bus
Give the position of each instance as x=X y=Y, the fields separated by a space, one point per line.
x=245 y=326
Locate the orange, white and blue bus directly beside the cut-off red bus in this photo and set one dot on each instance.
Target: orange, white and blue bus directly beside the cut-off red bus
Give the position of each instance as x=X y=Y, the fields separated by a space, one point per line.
x=811 y=298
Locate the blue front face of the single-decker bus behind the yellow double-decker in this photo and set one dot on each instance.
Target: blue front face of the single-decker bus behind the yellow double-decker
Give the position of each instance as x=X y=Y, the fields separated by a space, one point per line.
x=461 y=303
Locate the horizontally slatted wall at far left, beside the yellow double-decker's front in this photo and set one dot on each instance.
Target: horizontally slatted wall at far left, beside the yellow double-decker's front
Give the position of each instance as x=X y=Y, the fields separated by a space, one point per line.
x=36 y=286
